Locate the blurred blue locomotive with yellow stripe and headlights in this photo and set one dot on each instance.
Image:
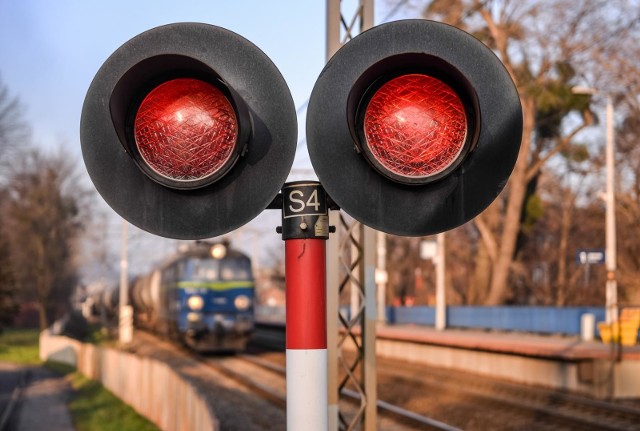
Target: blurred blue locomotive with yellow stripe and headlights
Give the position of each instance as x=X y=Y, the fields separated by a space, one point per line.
x=202 y=297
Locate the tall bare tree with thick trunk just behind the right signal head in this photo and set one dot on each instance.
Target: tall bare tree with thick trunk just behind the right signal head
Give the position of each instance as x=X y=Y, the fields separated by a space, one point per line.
x=548 y=47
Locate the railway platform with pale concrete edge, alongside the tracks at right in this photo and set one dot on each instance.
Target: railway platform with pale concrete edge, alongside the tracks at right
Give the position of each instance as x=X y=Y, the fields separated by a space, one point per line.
x=558 y=362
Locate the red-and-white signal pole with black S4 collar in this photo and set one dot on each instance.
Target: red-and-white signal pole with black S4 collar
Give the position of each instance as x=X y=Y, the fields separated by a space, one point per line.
x=305 y=228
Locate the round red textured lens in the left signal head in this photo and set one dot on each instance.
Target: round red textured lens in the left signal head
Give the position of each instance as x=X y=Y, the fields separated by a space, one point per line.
x=186 y=130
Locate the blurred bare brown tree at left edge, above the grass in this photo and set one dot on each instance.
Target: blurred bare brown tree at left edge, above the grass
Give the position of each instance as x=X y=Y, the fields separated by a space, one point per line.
x=43 y=224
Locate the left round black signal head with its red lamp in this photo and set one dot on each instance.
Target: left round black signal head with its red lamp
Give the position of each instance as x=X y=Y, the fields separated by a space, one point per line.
x=188 y=131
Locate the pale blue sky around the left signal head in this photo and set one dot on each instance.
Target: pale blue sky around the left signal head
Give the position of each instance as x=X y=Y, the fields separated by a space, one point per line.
x=51 y=50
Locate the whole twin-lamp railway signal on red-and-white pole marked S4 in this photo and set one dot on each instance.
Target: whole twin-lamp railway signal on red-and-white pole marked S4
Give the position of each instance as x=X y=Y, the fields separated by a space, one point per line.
x=189 y=131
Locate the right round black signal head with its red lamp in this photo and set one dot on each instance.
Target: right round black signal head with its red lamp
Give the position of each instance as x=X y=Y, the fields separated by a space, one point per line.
x=425 y=122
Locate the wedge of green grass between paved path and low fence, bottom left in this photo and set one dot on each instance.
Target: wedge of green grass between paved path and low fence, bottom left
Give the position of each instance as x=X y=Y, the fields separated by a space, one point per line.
x=94 y=408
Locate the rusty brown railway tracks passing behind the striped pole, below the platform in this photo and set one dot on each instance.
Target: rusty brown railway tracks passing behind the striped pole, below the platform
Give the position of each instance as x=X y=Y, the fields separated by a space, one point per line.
x=416 y=393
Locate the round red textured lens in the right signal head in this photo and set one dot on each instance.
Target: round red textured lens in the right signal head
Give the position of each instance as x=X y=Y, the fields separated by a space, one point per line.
x=415 y=128
